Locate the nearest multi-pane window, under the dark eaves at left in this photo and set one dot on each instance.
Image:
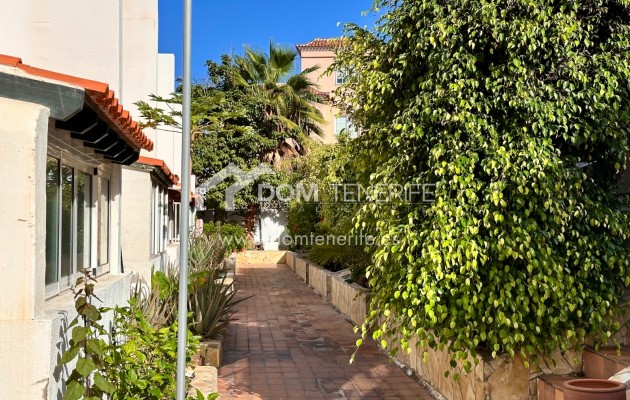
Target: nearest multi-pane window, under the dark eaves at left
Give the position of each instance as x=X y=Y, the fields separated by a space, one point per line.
x=68 y=223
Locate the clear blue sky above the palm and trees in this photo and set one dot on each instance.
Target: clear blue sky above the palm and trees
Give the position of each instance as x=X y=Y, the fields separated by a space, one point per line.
x=224 y=26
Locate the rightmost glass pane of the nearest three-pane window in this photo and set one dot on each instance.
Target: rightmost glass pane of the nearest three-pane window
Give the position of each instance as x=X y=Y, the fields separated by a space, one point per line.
x=84 y=203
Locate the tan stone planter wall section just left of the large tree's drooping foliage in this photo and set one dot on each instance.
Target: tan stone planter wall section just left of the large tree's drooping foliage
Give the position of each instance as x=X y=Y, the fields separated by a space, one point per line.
x=350 y=299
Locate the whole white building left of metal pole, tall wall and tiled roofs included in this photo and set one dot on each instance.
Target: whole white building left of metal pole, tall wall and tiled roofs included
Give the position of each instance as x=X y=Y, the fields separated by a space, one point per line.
x=89 y=188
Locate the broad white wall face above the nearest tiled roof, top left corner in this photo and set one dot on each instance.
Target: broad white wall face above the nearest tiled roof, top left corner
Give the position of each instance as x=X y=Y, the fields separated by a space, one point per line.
x=74 y=37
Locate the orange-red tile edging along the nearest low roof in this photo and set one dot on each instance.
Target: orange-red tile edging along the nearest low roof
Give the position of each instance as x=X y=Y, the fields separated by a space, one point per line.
x=101 y=96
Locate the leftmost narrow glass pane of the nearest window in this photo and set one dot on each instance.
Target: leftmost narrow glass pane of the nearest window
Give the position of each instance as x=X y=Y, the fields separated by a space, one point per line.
x=52 y=223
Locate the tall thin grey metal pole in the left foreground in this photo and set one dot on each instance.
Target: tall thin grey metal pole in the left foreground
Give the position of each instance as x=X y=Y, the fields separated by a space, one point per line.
x=182 y=322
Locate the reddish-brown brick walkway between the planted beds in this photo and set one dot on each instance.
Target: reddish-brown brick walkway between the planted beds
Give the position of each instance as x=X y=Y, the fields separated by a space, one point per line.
x=288 y=343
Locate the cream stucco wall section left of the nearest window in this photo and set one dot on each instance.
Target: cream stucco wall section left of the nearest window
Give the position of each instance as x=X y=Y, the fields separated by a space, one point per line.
x=23 y=156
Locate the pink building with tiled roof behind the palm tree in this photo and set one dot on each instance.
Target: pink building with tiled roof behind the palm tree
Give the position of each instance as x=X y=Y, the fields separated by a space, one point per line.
x=321 y=52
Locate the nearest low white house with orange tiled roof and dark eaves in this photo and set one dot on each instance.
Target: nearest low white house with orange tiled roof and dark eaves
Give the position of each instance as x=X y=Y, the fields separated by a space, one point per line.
x=63 y=143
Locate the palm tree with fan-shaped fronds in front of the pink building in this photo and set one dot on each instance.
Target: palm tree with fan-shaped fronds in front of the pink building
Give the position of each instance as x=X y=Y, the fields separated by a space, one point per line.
x=288 y=101
